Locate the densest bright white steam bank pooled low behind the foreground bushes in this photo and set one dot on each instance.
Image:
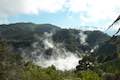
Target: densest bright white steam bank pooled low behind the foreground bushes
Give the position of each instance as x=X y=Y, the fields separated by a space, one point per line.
x=62 y=63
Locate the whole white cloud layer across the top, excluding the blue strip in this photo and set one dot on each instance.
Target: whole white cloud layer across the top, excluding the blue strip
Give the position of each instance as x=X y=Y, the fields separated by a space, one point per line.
x=91 y=12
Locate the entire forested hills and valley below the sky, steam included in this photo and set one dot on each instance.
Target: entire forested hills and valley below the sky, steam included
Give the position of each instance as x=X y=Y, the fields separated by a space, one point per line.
x=46 y=52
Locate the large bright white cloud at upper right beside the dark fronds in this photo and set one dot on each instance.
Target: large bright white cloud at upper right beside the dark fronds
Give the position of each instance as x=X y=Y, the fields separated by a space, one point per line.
x=95 y=11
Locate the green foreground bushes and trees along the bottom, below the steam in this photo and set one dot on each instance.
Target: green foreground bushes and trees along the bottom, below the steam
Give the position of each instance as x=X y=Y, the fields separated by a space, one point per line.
x=12 y=67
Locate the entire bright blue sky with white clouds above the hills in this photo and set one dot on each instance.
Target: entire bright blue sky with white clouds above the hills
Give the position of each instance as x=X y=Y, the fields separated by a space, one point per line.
x=80 y=14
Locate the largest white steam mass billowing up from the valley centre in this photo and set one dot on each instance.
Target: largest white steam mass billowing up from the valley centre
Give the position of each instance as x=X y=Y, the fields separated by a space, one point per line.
x=57 y=55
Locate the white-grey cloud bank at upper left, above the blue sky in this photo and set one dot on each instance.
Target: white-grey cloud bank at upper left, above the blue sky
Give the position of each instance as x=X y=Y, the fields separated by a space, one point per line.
x=12 y=7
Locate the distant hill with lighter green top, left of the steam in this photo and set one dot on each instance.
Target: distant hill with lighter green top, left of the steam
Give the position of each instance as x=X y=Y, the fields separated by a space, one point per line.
x=22 y=34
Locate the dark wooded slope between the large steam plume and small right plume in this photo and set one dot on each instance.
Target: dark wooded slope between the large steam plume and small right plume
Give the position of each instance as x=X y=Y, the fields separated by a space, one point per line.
x=71 y=40
